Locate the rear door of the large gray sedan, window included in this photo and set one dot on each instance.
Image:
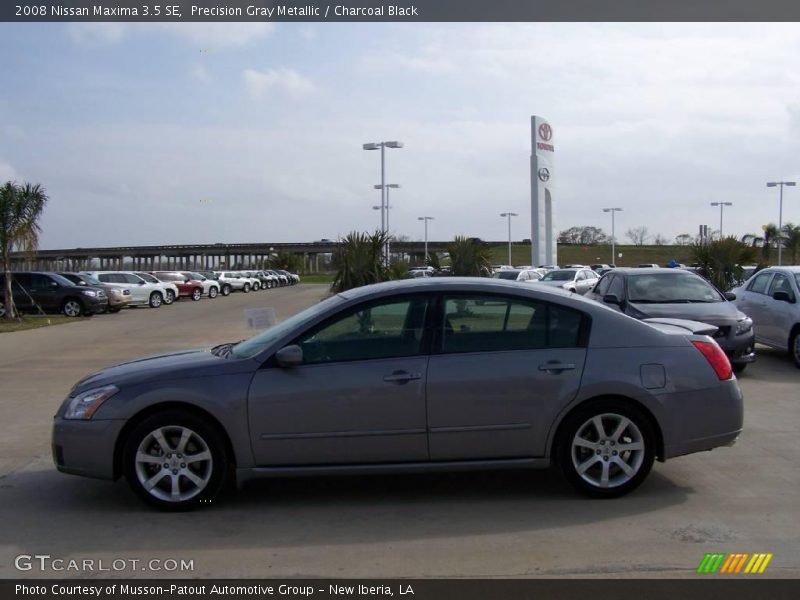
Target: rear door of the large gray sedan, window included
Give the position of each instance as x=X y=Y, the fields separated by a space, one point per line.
x=501 y=369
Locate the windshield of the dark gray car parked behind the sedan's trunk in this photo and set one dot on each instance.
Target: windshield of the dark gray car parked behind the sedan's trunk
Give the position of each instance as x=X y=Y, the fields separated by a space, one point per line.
x=670 y=288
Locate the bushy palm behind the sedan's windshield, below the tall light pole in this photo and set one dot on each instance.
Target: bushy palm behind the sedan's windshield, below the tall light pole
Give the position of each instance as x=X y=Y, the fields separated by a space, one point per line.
x=359 y=261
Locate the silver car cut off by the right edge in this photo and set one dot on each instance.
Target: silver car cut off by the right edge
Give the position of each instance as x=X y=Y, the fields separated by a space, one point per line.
x=770 y=298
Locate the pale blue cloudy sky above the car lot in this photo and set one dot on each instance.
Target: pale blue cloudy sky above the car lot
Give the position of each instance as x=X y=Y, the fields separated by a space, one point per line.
x=197 y=133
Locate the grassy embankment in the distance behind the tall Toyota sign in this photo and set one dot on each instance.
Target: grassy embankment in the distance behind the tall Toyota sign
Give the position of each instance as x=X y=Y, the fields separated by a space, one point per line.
x=586 y=255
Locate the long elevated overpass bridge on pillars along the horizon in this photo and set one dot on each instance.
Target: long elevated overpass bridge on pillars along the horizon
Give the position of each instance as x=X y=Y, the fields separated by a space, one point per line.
x=197 y=256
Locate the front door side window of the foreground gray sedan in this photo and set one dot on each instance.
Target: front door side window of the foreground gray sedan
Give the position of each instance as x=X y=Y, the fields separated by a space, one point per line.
x=377 y=330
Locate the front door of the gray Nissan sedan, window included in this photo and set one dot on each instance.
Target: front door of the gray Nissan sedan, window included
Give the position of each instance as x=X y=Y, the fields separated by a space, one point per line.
x=357 y=398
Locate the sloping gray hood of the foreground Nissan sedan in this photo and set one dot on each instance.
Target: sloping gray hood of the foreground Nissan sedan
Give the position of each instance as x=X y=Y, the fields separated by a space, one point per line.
x=173 y=365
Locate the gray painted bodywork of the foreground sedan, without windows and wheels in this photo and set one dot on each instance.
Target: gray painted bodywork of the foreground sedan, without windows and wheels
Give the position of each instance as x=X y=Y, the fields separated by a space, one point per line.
x=474 y=410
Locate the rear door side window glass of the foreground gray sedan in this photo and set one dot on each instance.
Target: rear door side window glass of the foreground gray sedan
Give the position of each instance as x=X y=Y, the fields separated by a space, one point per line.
x=497 y=324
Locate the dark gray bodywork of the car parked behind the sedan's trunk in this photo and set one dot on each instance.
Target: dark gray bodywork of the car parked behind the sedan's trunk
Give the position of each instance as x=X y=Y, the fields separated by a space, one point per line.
x=724 y=314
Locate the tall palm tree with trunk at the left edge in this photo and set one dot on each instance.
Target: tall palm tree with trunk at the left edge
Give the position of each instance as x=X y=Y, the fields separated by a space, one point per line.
x=20 y=209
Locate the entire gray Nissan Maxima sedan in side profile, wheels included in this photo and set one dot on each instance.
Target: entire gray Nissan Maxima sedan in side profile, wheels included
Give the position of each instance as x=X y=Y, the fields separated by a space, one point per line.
x=423 y=375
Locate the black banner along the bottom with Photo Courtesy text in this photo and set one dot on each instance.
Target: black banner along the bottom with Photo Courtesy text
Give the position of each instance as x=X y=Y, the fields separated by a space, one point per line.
x=708 y=588
